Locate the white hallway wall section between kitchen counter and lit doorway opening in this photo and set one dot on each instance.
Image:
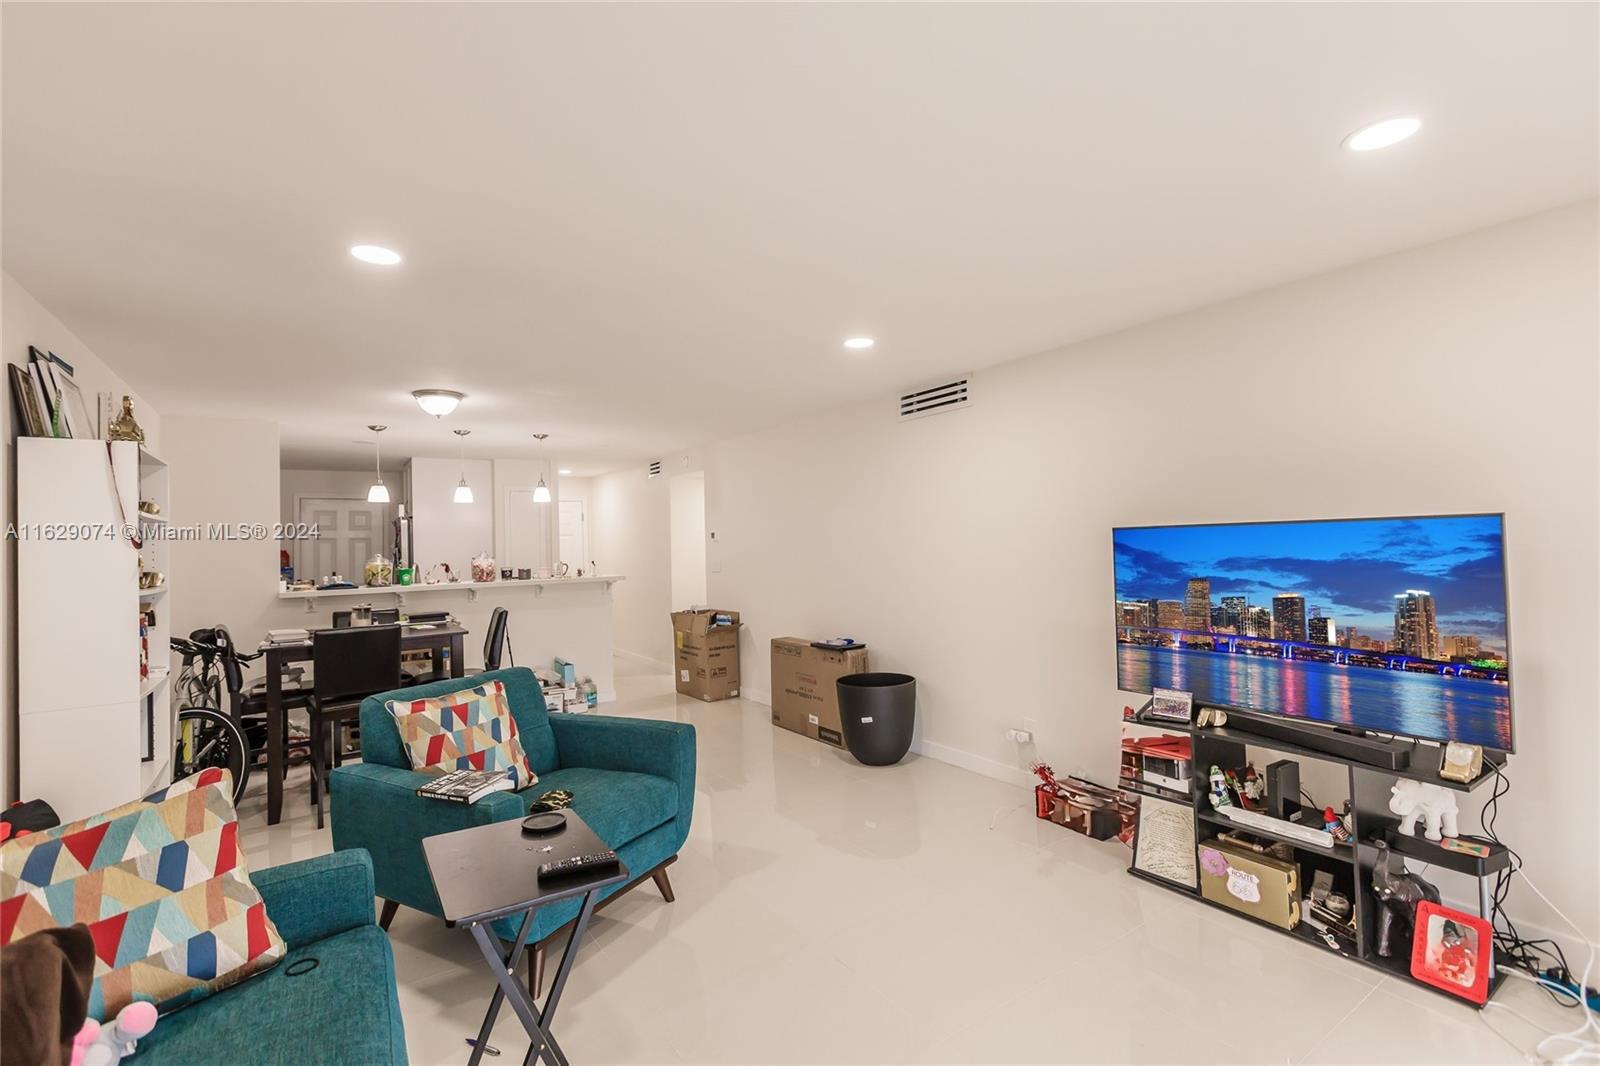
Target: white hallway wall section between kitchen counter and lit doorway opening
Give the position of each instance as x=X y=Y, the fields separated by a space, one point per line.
x=631 y=534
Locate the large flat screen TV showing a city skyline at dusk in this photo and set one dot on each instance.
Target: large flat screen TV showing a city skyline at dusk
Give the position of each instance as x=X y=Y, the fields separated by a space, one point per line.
x=1374 y=625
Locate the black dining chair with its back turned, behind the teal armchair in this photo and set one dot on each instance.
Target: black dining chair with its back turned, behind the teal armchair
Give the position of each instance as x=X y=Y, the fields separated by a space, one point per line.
x=348 y=665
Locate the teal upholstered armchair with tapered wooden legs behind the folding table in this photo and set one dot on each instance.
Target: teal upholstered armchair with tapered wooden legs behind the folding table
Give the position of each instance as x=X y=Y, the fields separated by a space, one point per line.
x=633 y=780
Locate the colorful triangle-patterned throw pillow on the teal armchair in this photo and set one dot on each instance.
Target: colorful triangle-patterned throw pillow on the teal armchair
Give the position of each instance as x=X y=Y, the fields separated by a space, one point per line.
x=463 y=731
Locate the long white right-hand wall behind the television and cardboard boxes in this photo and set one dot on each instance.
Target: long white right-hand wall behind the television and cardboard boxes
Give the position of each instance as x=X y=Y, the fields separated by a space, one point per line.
x=974 y=550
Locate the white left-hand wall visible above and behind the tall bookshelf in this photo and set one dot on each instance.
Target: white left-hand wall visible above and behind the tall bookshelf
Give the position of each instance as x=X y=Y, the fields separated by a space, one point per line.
x=23 y=323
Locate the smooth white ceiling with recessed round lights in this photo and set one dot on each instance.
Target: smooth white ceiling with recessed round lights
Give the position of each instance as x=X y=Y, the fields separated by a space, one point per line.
x=642 y=228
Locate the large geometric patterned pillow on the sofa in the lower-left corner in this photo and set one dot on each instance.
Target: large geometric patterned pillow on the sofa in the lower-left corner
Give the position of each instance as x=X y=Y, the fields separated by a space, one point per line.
x=164 y=889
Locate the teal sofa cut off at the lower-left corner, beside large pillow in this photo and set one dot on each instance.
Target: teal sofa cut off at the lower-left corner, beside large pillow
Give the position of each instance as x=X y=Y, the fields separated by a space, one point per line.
x=345 y=1011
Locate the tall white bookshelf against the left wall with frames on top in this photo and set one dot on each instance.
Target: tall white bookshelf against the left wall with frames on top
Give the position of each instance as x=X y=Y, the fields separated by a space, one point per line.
x=82 y=726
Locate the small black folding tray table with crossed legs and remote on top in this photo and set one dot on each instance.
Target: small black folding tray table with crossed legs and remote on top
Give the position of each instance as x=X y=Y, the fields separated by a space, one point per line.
x=490 y=873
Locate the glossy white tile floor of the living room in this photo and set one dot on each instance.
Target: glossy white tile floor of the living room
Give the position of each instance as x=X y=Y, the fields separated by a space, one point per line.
x=834 y=913
